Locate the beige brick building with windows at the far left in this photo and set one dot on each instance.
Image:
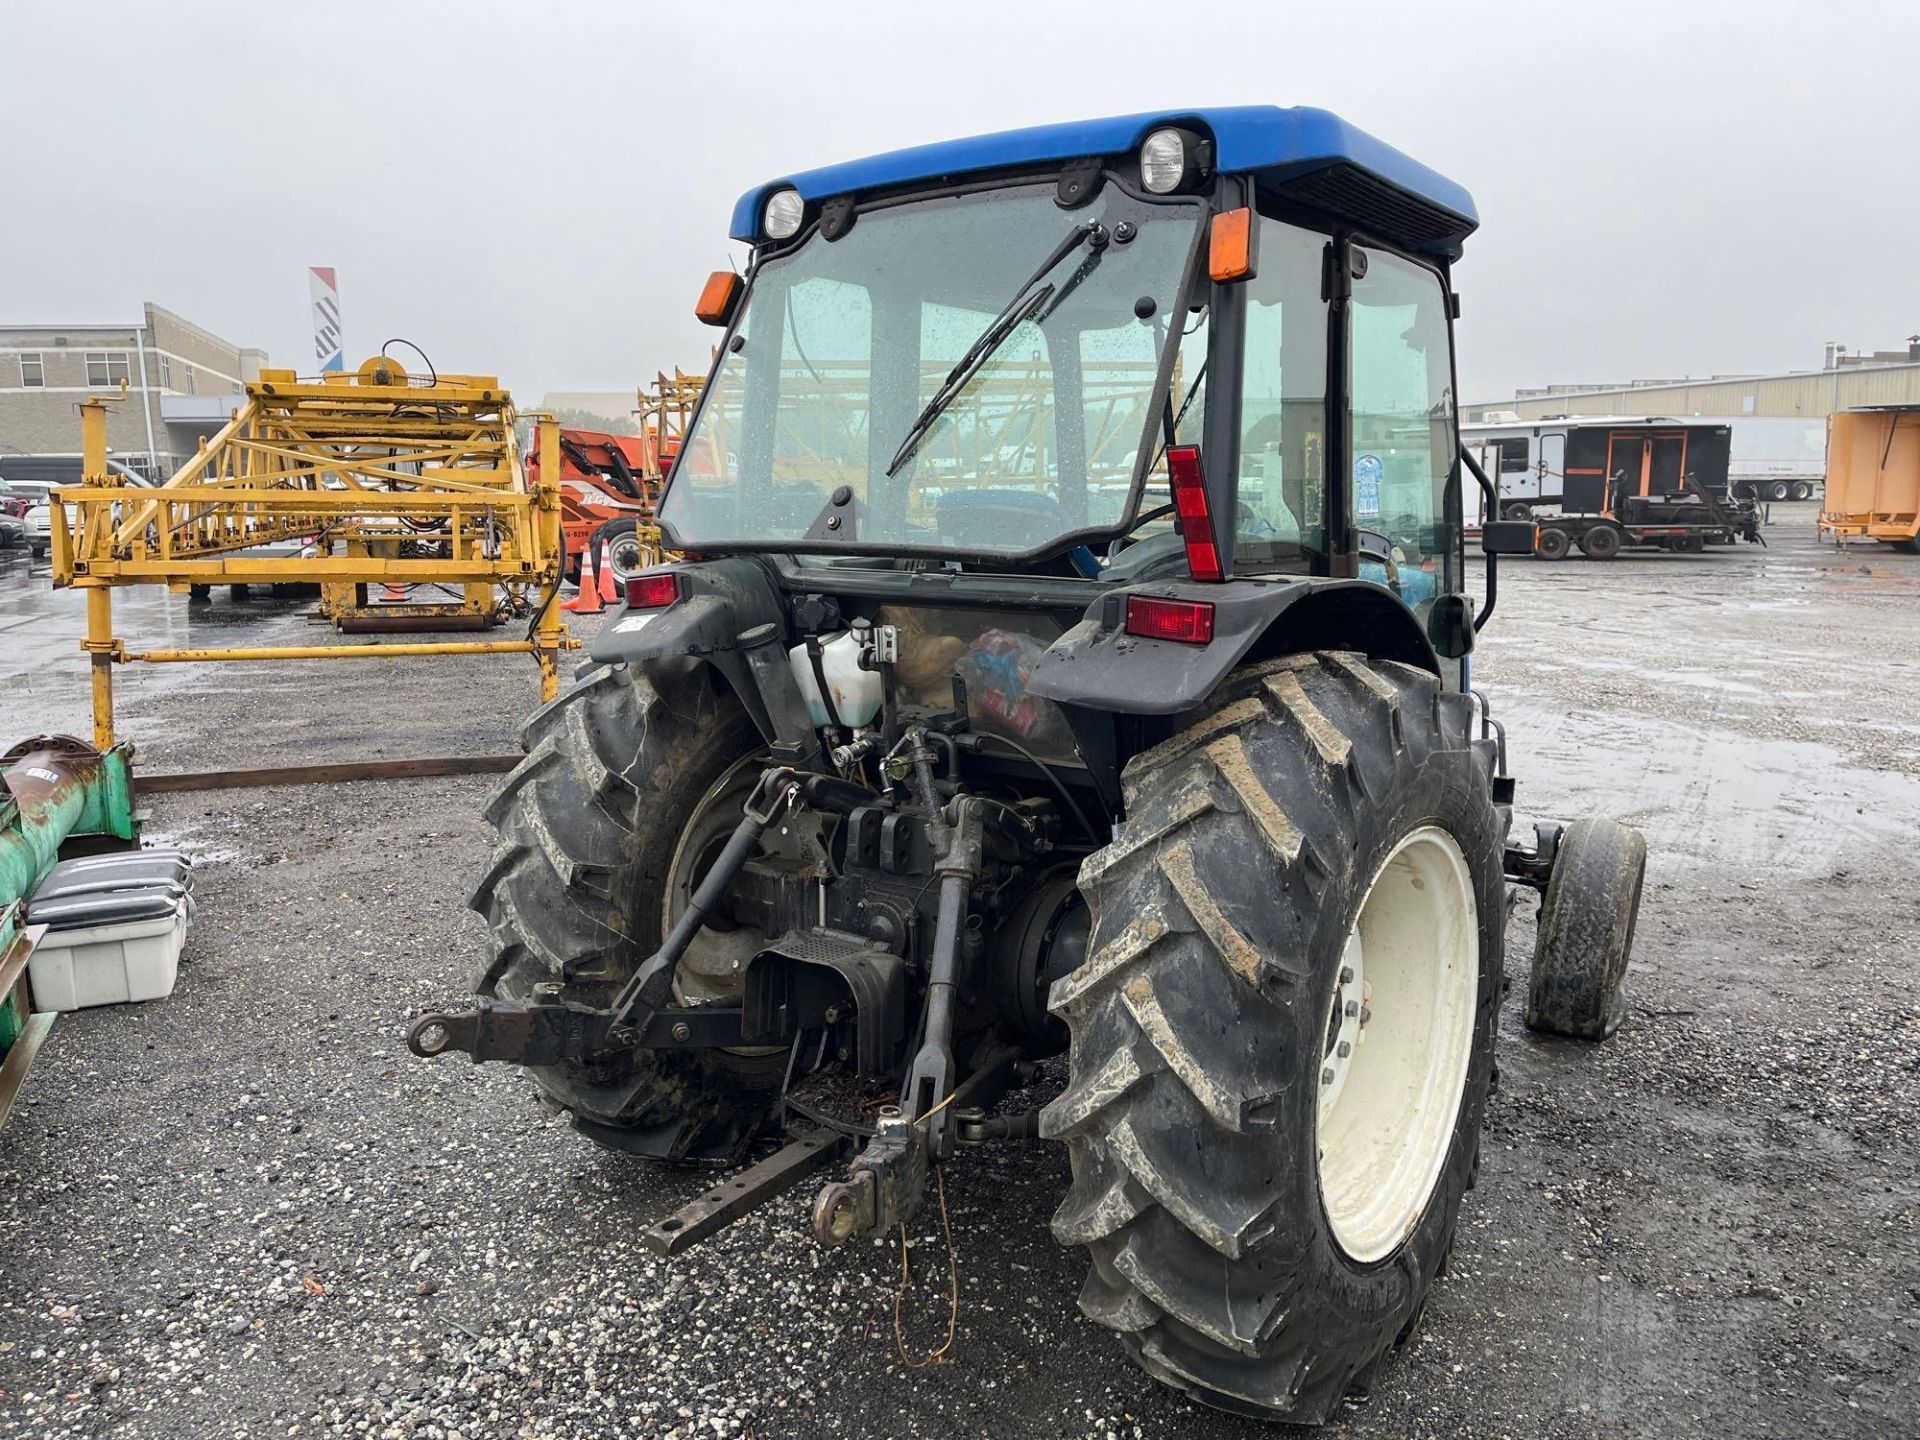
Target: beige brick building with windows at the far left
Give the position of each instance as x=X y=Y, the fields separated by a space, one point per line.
x=181 y=385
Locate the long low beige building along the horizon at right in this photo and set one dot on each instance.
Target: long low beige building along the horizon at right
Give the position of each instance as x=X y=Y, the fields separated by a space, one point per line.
x=1844 y=383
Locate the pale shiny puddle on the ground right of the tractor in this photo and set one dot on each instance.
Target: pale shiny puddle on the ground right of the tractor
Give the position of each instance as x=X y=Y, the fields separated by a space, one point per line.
x=1754 y=807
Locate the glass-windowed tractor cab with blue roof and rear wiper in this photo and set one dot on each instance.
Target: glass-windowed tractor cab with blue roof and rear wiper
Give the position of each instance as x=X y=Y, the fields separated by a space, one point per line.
x=1118 y=352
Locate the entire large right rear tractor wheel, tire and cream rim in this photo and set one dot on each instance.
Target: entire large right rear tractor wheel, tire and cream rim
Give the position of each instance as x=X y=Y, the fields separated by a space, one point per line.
x=1284 y=1038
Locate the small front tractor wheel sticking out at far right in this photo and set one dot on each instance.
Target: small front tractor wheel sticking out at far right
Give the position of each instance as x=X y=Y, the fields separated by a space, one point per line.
x=1587 y=932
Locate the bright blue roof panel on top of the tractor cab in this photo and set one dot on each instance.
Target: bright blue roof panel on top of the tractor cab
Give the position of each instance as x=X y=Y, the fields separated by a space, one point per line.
x=1310 y=155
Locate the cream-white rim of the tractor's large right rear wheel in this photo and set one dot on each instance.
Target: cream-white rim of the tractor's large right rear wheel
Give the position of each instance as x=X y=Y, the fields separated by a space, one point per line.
x=1399 y=1040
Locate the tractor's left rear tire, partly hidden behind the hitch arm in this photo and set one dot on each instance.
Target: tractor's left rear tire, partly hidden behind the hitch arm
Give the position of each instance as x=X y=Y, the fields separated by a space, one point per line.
x=573 y=894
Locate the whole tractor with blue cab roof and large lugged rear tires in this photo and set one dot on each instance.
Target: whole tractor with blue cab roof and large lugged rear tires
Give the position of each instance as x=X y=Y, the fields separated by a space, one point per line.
x=1061 y=731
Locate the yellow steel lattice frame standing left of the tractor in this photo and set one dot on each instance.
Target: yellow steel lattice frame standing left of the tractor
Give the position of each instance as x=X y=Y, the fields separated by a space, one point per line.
x=368 y=468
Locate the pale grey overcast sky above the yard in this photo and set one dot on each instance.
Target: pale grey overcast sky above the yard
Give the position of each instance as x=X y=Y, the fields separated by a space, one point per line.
x=540 y=189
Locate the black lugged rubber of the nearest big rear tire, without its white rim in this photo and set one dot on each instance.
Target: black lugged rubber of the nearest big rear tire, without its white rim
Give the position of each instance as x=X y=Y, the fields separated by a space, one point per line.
x=1174 y=1132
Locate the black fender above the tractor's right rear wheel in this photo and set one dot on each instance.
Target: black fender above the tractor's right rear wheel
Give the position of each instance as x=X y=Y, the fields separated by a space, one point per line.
x=1101 y=667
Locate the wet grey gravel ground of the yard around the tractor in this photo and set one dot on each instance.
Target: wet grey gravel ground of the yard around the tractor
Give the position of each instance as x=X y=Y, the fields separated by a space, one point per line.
x=249 y=1212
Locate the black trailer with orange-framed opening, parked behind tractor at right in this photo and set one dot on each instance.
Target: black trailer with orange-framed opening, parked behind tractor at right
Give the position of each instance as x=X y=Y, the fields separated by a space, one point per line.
x=1648 y=487
